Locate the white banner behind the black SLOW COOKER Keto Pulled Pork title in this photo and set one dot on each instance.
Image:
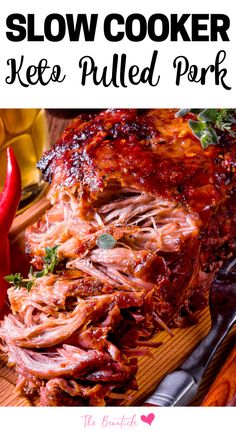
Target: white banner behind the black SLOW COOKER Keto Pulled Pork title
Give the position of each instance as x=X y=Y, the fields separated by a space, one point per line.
x=23 y=77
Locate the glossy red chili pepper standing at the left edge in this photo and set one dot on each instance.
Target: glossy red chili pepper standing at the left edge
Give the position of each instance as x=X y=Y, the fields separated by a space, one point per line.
x=9 y=201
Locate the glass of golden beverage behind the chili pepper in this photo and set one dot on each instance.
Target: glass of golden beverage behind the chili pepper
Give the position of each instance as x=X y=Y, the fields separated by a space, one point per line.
x=25 y=130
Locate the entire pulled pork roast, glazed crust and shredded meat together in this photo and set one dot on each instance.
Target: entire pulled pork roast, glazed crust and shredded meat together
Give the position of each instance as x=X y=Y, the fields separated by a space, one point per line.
x=143 y=178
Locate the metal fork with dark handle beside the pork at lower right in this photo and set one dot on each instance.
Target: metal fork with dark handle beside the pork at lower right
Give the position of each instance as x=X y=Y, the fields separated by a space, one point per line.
x=179 y=387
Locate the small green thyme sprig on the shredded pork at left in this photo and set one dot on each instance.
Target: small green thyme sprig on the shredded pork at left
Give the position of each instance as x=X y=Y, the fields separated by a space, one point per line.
x=50 y=262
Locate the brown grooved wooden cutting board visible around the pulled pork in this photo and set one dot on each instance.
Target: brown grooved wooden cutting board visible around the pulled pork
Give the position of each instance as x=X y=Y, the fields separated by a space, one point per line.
x=151 y=369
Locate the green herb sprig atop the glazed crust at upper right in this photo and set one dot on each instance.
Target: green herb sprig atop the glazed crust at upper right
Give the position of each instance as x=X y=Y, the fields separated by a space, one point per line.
x=209 y=122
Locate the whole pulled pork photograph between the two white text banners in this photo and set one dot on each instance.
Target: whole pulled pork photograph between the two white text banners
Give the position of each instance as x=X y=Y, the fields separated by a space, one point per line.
x=118 y=257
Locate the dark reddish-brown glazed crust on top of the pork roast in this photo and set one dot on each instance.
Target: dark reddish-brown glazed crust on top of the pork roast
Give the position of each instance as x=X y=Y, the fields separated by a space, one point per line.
x=152 y=151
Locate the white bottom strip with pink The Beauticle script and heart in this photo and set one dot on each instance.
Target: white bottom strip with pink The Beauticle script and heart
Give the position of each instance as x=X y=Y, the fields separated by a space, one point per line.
x=115 y=420
